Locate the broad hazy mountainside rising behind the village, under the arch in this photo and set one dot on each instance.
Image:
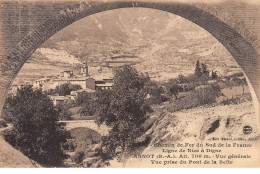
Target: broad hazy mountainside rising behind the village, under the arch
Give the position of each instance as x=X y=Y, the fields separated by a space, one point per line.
x=162 y=44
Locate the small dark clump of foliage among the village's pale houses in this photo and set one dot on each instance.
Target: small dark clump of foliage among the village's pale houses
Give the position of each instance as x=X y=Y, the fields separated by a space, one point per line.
x=64 y=89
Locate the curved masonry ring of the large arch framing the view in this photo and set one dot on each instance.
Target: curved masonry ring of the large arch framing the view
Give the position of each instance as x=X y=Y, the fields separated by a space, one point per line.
x=239 y=47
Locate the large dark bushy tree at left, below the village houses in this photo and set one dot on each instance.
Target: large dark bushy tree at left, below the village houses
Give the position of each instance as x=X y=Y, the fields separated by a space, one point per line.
x=36 y=131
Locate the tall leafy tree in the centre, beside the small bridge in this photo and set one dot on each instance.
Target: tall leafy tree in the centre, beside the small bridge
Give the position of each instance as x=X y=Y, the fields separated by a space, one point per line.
x=122 y=109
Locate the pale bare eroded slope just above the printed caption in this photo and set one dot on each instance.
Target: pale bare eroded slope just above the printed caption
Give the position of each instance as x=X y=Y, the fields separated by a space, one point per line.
x=194 y=123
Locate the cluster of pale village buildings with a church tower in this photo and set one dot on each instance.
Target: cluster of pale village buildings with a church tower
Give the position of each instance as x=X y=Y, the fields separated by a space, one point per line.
x=88 y=82
